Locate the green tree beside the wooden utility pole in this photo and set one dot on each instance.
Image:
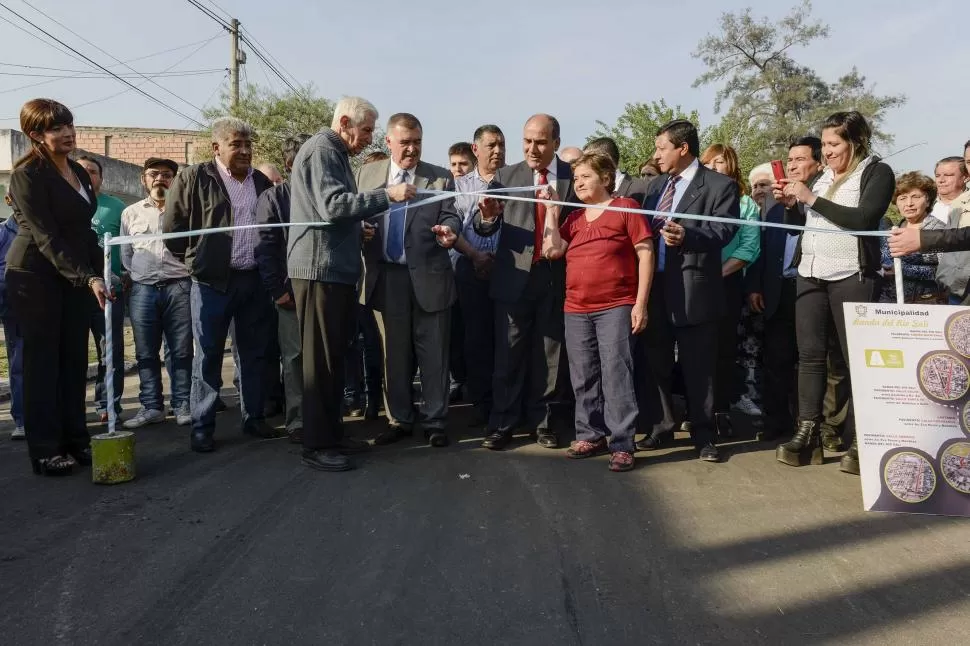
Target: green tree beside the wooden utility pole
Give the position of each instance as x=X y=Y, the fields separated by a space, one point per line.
x=275 y=117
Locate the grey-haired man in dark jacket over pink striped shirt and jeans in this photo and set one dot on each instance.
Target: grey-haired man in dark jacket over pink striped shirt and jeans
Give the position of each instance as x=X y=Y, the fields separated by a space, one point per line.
x=226 y=286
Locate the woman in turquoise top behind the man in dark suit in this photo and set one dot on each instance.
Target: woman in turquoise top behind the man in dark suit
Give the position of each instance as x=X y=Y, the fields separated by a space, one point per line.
x=738 y=254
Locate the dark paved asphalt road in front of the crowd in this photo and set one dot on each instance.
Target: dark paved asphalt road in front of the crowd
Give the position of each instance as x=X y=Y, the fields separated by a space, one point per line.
x=463 y=546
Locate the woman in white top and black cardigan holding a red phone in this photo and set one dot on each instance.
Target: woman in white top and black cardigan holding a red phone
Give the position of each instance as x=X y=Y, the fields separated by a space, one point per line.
x=833 y=268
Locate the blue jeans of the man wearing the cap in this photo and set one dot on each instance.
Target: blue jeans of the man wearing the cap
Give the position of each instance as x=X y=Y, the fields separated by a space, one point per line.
x=156 y=312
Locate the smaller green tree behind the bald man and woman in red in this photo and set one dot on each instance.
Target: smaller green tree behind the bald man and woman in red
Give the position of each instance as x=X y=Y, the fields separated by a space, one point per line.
x=636 y=130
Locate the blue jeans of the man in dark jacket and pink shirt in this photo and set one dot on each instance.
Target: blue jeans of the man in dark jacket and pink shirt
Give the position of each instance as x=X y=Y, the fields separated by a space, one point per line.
x=245 y=304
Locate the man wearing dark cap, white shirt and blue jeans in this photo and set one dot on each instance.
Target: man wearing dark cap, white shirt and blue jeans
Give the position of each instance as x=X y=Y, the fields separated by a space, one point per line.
x=159 y=302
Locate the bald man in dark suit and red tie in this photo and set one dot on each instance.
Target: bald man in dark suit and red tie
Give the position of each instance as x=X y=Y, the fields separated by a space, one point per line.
x=529 y=292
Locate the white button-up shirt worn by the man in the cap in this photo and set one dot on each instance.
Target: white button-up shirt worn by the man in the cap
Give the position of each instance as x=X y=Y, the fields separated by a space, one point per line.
x=148 y=261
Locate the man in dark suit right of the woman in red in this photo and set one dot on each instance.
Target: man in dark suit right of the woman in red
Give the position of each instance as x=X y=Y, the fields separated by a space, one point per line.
x=686 y=300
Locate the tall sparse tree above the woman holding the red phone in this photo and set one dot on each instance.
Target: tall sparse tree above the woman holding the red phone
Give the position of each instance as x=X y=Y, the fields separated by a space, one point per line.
x=771 y=97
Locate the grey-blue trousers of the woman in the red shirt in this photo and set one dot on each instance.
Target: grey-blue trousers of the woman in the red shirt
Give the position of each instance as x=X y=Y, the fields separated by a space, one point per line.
x=599 y=347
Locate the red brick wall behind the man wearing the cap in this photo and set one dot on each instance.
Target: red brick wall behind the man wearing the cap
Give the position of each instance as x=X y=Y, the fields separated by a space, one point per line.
x=135 y=145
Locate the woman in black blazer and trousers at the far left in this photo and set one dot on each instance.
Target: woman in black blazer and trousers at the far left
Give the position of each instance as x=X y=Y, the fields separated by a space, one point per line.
x=53 y=267
